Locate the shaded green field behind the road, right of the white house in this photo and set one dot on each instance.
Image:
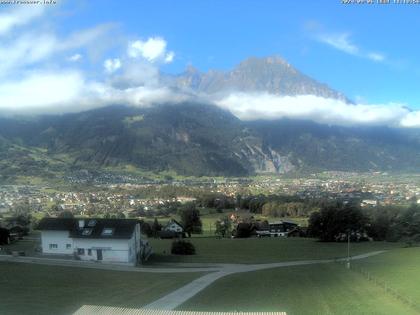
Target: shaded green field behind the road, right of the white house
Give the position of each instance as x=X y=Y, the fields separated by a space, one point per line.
x=261 y=250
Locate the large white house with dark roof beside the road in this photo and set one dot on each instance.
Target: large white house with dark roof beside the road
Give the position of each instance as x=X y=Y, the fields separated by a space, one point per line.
x=102 y=240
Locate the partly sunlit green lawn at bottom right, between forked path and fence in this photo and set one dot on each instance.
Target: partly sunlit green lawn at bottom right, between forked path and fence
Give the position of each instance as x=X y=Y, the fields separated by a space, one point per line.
x=317 y=289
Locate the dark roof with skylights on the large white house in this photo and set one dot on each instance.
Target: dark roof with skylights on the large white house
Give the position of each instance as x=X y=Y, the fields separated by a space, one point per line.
x=91 y=227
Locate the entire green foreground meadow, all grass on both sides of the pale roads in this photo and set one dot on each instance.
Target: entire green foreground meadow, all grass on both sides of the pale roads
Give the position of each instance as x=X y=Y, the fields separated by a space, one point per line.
x=313 y=289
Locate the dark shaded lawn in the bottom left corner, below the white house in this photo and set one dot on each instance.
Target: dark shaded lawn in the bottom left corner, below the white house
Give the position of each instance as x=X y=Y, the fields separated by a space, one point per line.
x=36 y=289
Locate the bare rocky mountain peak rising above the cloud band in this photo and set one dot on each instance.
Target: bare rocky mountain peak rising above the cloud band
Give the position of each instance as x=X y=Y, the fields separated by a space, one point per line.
x=271 y=74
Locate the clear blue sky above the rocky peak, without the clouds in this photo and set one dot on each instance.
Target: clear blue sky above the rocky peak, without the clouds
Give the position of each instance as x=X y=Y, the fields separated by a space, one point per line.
x=219 y=34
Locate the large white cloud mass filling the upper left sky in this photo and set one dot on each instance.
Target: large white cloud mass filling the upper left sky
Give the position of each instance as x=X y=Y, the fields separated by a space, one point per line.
x=42 y=74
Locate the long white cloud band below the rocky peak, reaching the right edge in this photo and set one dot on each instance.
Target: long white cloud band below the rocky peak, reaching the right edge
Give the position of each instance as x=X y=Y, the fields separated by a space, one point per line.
x=322 y=110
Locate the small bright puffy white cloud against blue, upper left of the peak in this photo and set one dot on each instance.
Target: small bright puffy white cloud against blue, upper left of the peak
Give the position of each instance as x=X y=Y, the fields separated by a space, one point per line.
x=153 y=49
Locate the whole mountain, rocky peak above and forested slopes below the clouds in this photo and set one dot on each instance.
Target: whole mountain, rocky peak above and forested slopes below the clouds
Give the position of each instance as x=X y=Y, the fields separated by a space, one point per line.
x=199 y=138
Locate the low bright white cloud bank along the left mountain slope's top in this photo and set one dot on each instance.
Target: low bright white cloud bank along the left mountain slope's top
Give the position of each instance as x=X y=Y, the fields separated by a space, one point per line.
x=69 y=91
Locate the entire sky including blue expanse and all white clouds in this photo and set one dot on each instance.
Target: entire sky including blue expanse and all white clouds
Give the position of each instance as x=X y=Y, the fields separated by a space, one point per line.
x=75 y=55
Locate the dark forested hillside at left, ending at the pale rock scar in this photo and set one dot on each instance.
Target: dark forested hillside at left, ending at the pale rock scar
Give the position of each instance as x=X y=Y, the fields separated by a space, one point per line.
x=191 y=139
